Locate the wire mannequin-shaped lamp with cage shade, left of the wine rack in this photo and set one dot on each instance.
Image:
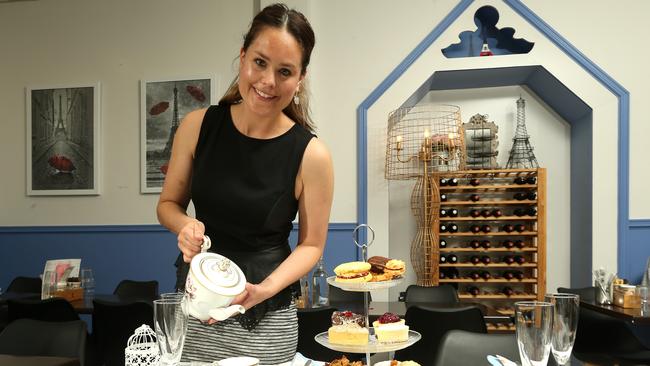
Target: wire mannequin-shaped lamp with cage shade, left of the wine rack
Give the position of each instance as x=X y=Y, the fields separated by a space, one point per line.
x=422 y=140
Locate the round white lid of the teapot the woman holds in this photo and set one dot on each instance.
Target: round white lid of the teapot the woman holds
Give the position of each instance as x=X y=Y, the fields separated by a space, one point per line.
x=218 y=274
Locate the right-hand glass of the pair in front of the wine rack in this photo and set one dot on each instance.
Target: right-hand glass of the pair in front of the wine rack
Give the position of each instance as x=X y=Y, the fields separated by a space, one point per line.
x=565 y=325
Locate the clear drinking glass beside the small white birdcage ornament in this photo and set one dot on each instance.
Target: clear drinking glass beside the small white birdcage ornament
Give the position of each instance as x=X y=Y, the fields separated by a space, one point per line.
x=170 y=321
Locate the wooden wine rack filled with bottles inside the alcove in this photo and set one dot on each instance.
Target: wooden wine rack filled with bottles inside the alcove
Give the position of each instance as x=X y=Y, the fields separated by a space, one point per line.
x=496 y=190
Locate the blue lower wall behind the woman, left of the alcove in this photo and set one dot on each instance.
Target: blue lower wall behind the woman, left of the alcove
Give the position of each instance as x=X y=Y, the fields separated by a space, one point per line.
x=139 y=252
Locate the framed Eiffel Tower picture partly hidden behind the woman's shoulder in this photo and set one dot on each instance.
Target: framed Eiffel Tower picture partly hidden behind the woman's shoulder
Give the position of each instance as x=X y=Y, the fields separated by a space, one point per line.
x=164 y=104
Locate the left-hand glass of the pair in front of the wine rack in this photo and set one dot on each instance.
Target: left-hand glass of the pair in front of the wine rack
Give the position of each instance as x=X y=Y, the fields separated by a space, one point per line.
x=534 y=325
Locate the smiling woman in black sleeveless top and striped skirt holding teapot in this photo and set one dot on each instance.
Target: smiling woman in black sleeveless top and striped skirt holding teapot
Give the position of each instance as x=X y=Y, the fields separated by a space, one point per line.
x=249 y=164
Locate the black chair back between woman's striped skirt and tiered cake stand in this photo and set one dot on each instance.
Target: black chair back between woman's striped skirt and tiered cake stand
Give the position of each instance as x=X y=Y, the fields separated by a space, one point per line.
x=310 y=323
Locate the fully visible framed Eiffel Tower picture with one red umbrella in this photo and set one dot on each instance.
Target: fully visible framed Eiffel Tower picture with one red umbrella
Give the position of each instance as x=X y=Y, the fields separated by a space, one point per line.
x=63 y=140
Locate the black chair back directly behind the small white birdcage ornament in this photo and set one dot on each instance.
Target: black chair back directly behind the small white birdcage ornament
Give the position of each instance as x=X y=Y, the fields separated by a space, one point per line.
x=113 y=324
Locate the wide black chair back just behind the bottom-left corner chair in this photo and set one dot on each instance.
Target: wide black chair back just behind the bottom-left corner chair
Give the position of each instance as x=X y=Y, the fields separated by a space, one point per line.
x=54 y=310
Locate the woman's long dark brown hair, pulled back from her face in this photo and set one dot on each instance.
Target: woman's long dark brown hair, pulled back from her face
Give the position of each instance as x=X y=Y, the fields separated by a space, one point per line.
x=281 y=17
